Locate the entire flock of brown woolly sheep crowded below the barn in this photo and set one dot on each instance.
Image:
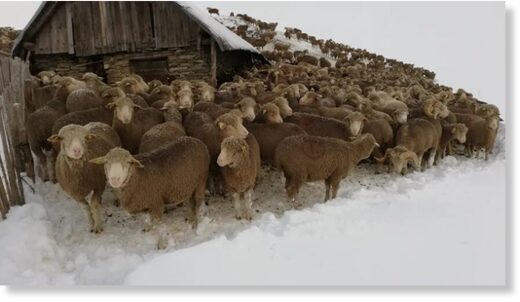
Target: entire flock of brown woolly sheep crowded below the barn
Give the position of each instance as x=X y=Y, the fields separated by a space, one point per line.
x=162 y=144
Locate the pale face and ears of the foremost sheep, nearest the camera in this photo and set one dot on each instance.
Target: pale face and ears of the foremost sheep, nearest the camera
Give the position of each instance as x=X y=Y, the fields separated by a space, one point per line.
x=119 y=165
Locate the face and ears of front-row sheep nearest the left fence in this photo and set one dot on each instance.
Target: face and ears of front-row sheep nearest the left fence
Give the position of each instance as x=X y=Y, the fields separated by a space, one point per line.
x=73 y=139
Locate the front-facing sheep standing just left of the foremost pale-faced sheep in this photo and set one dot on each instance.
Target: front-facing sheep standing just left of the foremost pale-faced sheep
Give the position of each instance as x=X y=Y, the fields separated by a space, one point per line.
x=76 y=175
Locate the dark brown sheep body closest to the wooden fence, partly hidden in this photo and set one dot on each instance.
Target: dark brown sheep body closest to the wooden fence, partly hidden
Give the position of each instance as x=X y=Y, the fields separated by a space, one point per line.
x=39 y=126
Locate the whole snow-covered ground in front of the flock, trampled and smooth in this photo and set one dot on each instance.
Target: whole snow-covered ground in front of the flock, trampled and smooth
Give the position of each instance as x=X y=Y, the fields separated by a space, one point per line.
x=445 y=226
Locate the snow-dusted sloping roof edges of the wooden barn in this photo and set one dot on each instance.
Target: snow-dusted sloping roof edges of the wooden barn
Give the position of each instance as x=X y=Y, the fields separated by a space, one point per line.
x=225 y=38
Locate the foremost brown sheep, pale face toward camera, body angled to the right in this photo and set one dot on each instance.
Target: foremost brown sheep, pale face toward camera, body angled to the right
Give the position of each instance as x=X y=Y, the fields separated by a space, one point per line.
x=174 y=174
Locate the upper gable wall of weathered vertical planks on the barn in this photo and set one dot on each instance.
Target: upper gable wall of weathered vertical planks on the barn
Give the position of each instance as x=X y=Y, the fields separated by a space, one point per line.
x=93 y=28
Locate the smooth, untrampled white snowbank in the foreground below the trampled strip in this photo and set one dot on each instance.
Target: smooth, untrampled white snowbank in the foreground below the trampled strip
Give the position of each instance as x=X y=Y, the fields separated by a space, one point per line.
x=450 y=232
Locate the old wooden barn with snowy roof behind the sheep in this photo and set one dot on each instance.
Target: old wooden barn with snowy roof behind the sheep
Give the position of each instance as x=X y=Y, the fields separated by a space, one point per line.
x=157 y=40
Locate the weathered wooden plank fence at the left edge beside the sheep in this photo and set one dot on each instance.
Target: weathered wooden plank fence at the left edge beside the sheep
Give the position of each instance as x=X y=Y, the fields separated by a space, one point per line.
x=15 y=156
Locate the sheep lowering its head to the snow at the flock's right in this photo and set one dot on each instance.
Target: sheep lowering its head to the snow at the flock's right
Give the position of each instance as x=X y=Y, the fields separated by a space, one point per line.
x=413 y=140
